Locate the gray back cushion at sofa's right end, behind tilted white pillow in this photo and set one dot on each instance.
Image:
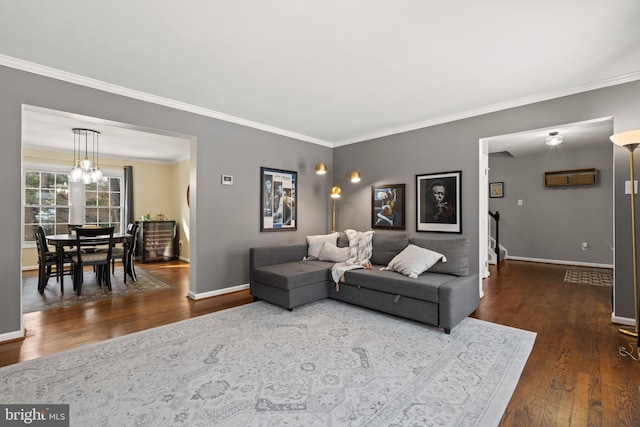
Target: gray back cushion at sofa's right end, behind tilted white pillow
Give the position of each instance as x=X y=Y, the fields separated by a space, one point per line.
x=455 y=250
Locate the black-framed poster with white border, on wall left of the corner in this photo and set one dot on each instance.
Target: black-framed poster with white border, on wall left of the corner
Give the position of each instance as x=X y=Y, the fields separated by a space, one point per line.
x=278 y=209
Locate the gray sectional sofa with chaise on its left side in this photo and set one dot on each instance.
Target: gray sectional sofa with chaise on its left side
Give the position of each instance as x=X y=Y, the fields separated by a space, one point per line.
x=441 y=296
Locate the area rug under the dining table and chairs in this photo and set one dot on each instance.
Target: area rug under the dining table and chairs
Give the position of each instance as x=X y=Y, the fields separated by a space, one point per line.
x=91 y=291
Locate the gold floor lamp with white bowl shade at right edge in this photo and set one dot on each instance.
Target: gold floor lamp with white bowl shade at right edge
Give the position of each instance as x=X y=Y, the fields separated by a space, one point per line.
x=631 y=140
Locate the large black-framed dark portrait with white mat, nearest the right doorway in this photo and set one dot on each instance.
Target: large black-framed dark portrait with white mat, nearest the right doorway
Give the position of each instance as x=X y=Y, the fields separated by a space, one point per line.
x=438 y=202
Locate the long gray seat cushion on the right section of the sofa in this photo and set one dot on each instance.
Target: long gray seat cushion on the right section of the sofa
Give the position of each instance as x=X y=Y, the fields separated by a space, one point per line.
x=424 y=287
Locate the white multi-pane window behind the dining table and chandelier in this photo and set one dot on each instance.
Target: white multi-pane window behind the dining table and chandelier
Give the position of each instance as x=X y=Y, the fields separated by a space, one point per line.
x=50 y=200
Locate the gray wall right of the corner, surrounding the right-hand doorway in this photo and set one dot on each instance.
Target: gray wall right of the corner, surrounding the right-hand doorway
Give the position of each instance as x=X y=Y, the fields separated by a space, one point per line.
x=455 y=146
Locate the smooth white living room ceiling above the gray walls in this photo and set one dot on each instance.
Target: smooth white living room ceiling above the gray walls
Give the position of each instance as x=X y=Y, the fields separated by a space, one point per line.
x=331 y=72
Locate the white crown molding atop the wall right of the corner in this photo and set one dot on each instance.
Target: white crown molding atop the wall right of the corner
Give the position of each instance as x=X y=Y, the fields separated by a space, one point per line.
x=599 y=84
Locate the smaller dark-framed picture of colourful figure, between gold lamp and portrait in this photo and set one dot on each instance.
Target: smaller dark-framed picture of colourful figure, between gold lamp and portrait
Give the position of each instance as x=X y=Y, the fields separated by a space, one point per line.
x=387 y=206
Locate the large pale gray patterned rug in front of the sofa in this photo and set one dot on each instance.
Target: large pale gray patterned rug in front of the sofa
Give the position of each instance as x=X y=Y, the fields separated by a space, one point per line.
x=324 y=364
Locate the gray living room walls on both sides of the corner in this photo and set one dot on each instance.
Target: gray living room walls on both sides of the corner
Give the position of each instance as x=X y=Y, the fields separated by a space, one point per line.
x=226 y=219
